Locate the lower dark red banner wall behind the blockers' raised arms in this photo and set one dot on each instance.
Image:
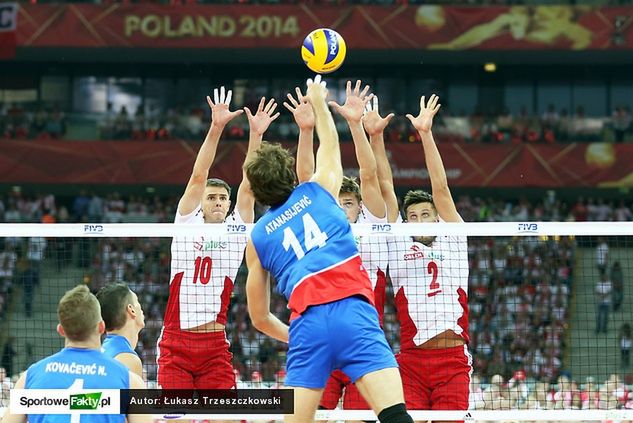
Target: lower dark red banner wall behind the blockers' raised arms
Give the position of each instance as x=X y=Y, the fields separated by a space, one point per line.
x=170 y=162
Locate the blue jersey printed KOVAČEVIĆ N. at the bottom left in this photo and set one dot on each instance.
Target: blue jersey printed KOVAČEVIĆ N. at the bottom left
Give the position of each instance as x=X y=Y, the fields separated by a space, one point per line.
x=83 y=369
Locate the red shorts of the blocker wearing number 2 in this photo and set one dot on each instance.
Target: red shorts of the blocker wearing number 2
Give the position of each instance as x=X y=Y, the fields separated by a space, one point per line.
x=437 y=379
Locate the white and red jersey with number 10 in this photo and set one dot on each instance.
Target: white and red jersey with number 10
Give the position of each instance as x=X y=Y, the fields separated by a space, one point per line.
x=206 y=268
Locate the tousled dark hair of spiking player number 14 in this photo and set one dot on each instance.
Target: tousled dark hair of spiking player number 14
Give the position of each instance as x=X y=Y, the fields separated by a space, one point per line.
x=271 y=174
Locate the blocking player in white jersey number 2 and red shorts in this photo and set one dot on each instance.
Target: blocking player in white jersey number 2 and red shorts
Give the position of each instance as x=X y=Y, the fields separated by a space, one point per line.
x=430 y=279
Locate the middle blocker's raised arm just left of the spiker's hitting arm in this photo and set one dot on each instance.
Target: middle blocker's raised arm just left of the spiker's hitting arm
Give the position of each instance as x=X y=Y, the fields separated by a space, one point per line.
x=304 y=117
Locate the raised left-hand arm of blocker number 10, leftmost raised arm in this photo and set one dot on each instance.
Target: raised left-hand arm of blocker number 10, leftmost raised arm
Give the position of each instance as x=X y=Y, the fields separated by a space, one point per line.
x=220 y=116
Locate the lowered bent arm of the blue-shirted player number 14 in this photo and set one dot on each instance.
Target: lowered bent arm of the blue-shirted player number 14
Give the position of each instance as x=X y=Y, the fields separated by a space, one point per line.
x=258 y=298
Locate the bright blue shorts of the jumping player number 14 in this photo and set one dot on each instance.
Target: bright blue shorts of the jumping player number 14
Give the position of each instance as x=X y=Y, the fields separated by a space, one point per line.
x=343 y=335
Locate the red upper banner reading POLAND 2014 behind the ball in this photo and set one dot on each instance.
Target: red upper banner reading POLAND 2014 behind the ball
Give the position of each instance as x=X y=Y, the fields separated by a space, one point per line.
x=433 y=27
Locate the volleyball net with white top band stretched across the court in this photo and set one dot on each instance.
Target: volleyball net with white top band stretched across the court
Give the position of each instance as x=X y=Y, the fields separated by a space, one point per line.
x=543 y=306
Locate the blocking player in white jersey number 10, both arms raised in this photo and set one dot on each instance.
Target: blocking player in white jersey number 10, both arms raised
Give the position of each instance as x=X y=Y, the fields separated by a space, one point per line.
x=193 y=351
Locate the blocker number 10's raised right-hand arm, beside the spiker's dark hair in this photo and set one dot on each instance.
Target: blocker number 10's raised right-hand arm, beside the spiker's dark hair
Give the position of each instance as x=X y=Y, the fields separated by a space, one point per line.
x=258 y=124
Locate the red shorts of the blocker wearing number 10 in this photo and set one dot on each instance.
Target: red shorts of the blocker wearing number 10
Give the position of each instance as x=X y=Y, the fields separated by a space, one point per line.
x=191 y=360
